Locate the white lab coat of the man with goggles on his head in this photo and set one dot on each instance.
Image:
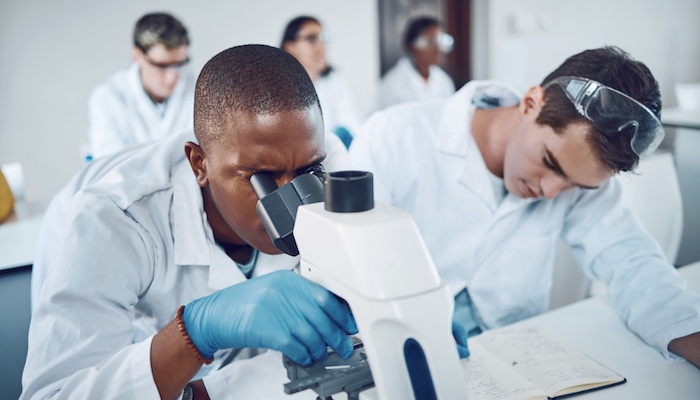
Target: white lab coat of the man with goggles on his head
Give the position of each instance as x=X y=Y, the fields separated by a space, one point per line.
x=425 y=161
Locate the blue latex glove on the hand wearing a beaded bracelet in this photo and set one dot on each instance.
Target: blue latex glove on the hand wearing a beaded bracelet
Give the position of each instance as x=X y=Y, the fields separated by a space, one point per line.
x=280 y=311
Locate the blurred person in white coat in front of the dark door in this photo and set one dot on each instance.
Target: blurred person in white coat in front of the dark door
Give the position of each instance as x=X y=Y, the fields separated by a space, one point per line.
x=417 y=76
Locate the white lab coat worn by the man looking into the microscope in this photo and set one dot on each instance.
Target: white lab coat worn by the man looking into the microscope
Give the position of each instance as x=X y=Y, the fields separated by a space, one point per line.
x=136 y=247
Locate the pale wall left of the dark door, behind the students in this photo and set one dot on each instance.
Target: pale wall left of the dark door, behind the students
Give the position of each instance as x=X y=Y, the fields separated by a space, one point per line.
x=54 y=52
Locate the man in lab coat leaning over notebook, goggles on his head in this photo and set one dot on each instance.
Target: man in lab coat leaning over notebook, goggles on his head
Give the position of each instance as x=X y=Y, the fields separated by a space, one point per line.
x=493 y=179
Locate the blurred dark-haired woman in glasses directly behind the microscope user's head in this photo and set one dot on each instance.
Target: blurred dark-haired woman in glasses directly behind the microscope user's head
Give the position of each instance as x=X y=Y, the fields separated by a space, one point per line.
x=305 y=39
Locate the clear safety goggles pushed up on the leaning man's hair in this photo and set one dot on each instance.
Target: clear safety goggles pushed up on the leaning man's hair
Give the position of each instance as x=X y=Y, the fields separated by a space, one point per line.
x=613 y=111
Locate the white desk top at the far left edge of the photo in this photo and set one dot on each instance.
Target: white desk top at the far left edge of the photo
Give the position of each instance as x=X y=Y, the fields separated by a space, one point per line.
x=19 y=233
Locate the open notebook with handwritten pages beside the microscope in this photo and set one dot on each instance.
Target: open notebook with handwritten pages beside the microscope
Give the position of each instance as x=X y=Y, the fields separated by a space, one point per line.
x=526 y=364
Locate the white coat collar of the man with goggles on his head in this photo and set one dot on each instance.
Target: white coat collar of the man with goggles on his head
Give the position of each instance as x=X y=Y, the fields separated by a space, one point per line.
x=455 y=137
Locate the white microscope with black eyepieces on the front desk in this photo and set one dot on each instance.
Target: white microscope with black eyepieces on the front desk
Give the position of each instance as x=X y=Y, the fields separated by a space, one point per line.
x=372 y=256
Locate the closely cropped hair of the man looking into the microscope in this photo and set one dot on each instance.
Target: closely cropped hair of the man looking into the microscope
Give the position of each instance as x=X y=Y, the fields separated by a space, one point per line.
x=257 y=79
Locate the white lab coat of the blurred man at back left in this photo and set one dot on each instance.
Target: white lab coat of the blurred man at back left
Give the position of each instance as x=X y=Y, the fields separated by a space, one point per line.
x=121 y=114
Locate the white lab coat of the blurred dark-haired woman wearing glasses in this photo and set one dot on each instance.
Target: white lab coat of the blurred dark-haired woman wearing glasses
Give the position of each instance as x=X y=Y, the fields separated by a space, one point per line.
x=337 y=102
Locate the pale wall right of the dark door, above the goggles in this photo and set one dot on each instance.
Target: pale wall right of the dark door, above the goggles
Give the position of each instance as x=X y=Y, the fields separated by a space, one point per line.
x=527 y=39
